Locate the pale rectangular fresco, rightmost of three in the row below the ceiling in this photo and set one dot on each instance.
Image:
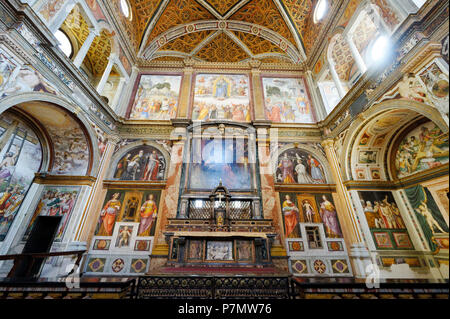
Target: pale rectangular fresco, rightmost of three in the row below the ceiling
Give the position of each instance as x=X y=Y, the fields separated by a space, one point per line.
x=287 y=101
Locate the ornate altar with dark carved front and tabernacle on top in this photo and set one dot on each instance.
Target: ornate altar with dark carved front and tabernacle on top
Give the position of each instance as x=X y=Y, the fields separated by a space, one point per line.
x=226 y=232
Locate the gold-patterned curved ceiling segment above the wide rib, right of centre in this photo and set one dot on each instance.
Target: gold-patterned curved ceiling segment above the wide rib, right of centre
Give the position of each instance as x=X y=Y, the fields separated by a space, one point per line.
x=264 y=13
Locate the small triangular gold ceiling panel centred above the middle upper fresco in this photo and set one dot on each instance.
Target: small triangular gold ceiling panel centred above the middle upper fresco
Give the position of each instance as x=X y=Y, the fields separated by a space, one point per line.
x=222 y=49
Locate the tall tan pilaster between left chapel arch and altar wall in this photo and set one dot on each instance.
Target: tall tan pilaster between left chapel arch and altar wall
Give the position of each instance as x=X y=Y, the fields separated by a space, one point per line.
x=89 y=219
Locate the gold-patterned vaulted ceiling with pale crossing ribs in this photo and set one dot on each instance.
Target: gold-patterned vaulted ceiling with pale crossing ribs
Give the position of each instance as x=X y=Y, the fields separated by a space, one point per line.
x=257 y=29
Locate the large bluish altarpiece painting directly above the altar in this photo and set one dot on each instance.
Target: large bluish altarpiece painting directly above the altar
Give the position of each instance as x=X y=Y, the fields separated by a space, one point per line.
x=218 y=160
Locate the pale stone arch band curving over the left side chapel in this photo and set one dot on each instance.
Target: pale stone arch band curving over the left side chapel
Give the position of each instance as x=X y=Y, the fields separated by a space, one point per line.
x=71 y=109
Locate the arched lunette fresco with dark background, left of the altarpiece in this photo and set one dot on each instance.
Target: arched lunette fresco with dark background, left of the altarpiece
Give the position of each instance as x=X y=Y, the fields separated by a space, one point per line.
x=142 y=163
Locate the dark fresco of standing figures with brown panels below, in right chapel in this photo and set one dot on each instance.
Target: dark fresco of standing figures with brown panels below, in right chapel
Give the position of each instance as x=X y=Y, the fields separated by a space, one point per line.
x=385 y=221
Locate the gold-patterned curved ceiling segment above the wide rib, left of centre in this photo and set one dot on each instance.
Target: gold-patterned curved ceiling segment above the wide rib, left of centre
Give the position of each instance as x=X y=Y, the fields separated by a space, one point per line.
x=179 y=12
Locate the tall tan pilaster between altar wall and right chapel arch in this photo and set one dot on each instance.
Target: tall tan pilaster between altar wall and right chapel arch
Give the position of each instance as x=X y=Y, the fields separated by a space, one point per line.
x=359 y=253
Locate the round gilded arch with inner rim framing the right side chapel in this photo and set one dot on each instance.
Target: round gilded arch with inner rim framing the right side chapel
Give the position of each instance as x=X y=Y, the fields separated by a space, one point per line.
x=377 y=111
